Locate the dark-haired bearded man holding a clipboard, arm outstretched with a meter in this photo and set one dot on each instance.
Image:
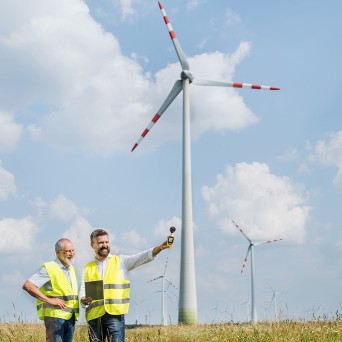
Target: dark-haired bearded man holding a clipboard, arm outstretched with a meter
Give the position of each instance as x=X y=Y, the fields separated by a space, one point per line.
x=106 y=316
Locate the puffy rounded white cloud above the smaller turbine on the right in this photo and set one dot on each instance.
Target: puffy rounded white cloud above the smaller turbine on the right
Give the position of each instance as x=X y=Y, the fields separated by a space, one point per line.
x=267 y=206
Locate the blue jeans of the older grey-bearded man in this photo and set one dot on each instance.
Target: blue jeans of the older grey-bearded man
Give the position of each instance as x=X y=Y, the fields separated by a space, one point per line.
x=58 y=329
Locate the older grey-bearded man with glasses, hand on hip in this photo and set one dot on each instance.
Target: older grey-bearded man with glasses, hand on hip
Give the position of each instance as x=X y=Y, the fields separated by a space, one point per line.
x=55 y=287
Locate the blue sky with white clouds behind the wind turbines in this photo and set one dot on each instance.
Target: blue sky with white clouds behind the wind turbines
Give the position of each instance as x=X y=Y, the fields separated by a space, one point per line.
x=79 y=82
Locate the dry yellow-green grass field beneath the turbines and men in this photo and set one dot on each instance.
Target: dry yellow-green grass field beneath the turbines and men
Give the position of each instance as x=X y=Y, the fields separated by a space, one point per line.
x=319 y=331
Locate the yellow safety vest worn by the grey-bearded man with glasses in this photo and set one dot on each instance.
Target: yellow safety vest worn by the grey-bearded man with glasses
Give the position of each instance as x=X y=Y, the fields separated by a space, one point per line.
x=61 y=288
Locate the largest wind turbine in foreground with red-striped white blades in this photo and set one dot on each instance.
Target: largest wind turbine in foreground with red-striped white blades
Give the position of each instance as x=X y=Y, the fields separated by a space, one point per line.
x=187 y=292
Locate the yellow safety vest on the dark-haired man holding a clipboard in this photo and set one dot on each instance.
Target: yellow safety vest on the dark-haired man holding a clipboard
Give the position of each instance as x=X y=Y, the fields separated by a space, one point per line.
x=116 y=290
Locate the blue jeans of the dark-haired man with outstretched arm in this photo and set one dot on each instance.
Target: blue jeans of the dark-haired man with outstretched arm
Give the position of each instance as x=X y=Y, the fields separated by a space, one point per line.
x=108 y=327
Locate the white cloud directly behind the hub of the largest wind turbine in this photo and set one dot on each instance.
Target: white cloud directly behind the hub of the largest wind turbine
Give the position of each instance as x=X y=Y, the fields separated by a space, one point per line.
x=231 y=113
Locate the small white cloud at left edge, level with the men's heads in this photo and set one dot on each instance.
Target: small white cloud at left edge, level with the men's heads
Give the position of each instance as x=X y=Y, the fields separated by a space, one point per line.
x=17 y=235
